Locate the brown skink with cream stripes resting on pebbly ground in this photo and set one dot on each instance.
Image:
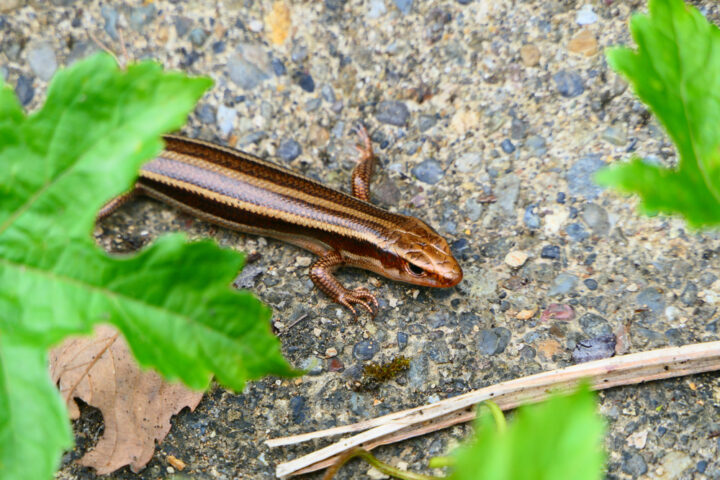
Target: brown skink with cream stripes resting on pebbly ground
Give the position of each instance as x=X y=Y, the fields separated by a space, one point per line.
x=243 y=192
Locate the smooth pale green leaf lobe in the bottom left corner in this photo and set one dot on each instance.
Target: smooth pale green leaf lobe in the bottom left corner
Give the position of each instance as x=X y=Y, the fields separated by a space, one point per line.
x=34 y=428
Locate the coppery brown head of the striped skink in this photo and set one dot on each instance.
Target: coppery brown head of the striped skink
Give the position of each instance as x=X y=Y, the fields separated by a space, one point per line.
x=422 y=256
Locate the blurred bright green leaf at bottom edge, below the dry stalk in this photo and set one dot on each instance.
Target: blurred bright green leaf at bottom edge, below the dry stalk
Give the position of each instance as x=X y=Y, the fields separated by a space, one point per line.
x=560 y=438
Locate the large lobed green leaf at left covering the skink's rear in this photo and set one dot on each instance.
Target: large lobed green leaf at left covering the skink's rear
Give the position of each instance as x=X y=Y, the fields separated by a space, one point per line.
x=172 y=301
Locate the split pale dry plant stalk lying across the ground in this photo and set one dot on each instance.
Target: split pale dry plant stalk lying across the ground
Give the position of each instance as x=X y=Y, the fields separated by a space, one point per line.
x=621 y=370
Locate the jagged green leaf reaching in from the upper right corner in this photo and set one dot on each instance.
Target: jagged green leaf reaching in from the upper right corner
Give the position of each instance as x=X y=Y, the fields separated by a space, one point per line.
x=676 y=72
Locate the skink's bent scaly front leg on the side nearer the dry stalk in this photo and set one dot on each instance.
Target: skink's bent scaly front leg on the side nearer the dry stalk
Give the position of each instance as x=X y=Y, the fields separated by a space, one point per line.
x=322 y=277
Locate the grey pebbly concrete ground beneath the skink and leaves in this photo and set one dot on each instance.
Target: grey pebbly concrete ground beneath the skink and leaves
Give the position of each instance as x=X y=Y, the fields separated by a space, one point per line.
x=463 y=99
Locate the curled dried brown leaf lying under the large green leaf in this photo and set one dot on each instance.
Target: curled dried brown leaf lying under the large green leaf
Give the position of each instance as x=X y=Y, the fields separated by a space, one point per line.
x=136 y=404
